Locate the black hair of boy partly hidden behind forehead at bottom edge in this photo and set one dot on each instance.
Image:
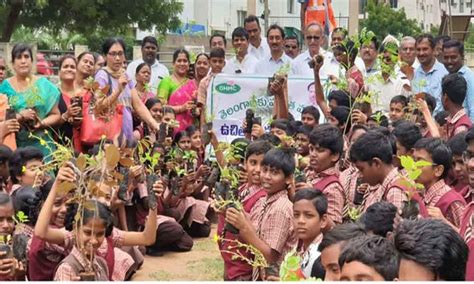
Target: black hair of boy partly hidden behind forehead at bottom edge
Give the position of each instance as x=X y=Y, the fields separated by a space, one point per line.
x=341 y=233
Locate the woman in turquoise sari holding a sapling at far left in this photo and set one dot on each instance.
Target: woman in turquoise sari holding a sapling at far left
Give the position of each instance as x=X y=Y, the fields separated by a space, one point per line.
x=34 y=100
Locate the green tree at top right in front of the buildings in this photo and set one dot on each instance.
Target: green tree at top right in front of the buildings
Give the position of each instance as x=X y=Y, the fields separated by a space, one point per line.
x=384 y=20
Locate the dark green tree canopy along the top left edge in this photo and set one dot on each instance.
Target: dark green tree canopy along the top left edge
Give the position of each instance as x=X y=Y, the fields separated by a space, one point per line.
x=88 y=16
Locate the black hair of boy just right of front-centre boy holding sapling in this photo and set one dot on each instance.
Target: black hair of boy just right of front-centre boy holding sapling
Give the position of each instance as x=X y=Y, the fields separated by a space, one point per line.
x=328 y=137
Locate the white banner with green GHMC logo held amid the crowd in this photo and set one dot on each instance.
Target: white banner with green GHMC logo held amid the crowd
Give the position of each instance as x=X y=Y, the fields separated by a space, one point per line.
x=229 y=96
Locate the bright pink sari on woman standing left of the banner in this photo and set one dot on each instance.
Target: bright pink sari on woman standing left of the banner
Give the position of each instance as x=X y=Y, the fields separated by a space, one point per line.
x=182 y=95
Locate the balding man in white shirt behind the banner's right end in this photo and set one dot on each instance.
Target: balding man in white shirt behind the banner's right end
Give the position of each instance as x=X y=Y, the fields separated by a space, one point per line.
x=314 y=39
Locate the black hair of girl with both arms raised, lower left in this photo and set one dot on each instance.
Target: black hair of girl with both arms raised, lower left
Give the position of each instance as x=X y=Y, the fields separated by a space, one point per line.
x=102 y=212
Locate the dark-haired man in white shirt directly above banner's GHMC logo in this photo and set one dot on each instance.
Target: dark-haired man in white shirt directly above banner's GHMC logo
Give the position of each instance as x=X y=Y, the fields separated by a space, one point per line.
x=242 y=62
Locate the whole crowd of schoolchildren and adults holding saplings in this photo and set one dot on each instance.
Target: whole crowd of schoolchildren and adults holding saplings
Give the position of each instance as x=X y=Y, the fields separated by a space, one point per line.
x=374 y=182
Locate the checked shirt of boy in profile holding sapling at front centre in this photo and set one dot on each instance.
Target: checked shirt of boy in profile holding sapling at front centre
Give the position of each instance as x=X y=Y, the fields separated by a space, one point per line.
x=272 y=218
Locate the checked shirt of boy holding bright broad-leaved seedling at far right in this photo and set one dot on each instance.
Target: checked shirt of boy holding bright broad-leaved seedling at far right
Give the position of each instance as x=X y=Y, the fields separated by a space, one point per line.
x=433 y=194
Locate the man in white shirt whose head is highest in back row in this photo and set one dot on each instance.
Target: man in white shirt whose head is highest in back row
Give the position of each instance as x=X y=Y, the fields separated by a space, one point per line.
x=258 y=46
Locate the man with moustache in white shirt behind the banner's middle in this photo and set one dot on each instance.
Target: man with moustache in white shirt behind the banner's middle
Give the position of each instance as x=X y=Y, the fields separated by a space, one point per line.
x=277 y=59
